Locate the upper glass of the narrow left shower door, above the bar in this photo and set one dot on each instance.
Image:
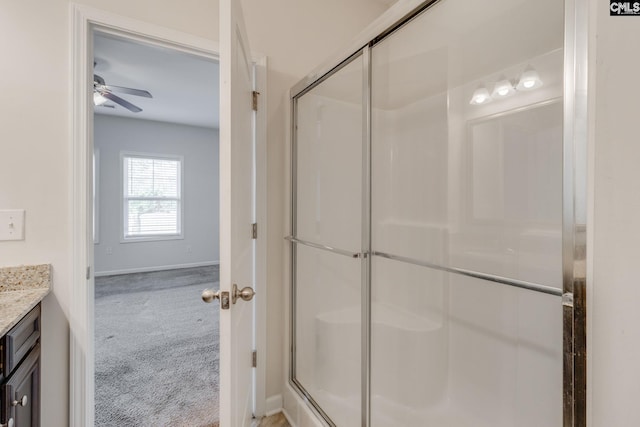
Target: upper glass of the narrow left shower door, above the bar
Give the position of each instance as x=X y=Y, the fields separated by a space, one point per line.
x=329 y=160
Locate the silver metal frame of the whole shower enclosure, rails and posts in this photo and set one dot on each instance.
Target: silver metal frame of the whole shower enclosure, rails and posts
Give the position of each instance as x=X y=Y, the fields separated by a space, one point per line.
x=574 y=220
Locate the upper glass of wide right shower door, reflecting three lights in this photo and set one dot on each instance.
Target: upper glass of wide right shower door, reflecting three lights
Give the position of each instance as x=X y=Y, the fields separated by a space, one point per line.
x=467 y=139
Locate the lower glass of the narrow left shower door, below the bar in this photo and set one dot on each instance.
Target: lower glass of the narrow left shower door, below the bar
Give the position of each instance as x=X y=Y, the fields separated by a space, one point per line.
x=328 y=331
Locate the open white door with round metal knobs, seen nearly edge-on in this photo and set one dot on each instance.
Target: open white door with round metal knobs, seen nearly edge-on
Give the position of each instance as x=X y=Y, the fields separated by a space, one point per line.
x=237 y=195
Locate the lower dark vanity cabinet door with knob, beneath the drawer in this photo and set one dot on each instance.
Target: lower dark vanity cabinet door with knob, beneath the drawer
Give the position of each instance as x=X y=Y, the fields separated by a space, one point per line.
x=21 y=393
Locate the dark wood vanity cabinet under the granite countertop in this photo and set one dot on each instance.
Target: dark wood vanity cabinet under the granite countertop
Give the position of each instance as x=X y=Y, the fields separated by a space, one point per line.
x=20 y=373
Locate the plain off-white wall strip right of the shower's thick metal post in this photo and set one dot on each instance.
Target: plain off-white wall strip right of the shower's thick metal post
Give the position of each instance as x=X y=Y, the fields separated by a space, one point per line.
x=614 y=323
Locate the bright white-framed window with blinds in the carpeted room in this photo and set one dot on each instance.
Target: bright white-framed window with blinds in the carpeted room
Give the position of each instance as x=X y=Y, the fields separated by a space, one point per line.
x=152 y=201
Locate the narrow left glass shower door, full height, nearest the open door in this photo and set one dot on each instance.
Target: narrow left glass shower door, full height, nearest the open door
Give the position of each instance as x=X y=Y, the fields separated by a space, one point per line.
x=328 y=230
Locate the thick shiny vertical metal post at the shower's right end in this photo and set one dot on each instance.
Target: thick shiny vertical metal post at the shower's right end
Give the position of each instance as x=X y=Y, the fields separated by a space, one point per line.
x=574 y=222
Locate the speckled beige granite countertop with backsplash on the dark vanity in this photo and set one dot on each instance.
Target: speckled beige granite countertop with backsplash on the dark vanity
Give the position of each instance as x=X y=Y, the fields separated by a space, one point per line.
x=21 y=289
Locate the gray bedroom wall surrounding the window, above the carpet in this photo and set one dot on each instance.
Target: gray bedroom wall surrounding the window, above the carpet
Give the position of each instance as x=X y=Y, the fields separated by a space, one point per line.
x=199 y=148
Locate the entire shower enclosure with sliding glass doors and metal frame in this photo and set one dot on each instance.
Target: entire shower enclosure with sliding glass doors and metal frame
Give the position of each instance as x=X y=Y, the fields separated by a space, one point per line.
x=433 y=236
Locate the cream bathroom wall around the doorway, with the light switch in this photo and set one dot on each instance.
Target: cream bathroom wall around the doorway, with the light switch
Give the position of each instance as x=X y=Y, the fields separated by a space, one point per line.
x=35 y=162
